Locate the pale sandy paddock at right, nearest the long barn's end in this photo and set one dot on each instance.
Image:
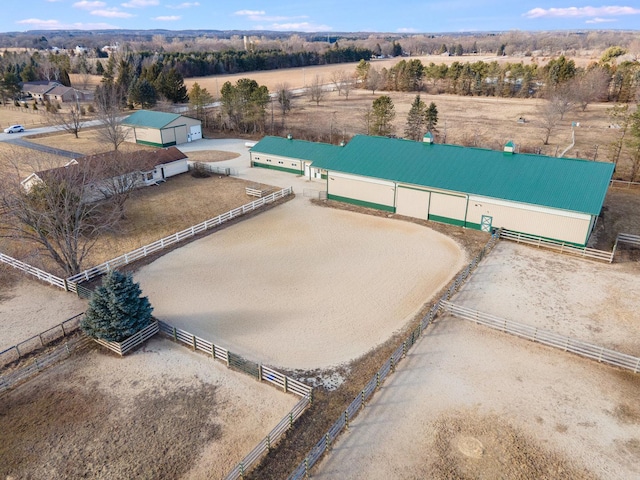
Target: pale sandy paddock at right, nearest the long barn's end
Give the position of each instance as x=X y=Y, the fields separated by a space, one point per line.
x=591 y=301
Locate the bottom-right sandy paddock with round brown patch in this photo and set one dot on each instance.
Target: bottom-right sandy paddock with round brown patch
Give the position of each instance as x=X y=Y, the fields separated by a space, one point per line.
x=469 y=402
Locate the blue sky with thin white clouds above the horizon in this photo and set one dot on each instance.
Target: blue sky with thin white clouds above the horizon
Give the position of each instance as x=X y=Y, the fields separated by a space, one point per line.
x=320 y=15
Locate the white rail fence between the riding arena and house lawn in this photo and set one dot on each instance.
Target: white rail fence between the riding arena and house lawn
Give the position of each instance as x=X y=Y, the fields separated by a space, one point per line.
x=173 y=239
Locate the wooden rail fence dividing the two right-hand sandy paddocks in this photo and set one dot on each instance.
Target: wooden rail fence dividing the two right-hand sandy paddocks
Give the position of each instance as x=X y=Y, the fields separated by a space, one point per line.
x=545 y=337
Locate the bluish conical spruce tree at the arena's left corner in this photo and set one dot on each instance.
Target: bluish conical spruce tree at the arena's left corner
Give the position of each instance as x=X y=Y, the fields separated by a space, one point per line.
x=116 y=309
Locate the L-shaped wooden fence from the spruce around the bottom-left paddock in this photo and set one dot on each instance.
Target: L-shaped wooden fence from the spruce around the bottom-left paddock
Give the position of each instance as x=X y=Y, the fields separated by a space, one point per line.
x=263 y=374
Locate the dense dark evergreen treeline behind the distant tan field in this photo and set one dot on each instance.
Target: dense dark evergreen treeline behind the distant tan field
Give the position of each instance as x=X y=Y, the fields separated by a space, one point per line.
x=199 y=64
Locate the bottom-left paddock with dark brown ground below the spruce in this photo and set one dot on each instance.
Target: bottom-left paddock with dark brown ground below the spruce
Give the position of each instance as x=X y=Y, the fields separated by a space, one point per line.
x=163 y=412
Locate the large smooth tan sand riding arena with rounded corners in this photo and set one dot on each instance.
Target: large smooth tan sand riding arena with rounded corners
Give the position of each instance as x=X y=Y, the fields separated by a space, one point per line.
x=301 y=286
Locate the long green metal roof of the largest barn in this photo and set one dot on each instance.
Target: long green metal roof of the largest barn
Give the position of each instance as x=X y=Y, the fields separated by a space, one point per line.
x=563 y=183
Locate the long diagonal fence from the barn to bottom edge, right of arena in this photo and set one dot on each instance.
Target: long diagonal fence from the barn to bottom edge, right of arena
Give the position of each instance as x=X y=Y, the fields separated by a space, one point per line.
x=325 y=443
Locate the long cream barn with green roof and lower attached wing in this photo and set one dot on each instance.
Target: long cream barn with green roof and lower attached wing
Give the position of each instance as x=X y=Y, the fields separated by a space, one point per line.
x=553 y=198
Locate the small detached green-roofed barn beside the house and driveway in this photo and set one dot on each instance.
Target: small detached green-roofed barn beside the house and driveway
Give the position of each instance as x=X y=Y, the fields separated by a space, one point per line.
x=161 y=129
